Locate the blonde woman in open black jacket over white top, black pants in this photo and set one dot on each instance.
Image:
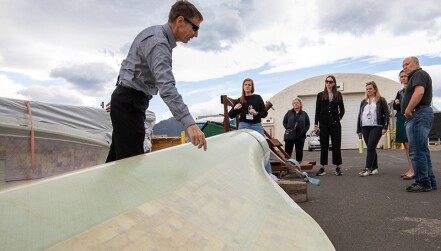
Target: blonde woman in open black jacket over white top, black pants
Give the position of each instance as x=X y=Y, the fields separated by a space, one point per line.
x=373 y=120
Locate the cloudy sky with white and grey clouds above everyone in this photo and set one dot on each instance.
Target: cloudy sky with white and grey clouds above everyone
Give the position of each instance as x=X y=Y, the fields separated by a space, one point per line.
x=69 y=52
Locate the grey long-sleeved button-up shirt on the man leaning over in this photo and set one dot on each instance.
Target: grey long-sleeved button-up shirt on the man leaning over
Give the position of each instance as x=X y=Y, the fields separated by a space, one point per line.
x=148 y=68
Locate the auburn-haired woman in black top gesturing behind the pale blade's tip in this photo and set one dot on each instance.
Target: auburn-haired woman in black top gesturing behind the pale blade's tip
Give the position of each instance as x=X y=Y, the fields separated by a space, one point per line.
x=251 y=109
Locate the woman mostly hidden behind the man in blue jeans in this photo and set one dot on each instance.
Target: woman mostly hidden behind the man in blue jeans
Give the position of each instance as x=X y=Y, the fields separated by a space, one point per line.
x=400 y=135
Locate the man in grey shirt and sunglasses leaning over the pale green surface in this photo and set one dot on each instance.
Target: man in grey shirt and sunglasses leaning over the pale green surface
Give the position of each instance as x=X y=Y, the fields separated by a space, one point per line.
x=146 y=71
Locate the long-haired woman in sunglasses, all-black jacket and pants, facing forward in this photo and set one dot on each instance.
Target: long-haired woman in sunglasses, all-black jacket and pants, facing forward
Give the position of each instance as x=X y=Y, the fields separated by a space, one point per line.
x=329 y=110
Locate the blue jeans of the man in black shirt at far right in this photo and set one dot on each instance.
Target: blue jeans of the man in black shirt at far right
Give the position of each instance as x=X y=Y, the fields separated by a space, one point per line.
x=417 y=129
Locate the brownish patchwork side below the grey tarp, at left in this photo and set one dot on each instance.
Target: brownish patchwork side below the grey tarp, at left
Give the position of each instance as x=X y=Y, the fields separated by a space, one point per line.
x=52 y=157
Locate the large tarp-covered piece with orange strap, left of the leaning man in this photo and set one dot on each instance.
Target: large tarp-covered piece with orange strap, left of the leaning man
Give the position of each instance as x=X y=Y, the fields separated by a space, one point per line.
x=39 y=139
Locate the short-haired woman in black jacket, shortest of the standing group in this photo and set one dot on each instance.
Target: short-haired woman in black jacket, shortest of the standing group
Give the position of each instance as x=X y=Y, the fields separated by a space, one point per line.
x=298 y=120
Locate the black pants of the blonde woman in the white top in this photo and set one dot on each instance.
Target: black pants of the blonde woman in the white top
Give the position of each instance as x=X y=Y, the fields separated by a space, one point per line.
x=371 y=136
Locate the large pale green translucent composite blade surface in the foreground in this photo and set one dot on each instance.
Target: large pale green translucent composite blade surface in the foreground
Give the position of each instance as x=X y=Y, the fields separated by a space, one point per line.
x=182 y=198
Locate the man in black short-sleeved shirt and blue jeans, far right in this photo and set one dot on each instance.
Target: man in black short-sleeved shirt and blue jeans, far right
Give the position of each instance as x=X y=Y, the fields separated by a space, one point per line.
x=419 y=119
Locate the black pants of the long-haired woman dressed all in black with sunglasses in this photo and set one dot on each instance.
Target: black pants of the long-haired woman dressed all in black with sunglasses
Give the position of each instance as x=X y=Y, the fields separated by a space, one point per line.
x=334 y=132
